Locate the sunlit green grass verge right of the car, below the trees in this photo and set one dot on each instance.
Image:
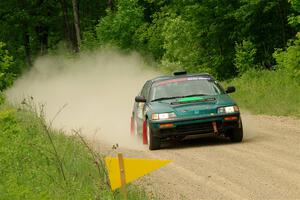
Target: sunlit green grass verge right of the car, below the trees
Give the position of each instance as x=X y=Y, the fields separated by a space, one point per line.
x=268 y=92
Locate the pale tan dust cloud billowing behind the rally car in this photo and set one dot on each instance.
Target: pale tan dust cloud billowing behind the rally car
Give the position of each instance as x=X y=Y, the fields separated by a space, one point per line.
x=98 y=90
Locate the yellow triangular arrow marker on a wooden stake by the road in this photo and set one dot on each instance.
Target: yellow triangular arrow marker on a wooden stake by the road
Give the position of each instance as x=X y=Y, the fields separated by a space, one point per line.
x=134 y=168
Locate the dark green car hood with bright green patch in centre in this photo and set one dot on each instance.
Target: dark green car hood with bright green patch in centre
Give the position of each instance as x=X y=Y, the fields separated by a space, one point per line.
x=203 y=105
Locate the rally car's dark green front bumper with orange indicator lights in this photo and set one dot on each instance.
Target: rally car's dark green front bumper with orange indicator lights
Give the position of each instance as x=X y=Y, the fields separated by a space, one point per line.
x=217 y=124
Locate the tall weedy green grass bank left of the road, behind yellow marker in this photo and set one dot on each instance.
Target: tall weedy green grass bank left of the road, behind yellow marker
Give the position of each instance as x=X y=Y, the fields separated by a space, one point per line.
x=40 y=163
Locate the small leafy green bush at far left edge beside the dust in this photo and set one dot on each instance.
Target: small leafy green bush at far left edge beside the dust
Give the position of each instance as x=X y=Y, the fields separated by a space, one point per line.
x=6 y=64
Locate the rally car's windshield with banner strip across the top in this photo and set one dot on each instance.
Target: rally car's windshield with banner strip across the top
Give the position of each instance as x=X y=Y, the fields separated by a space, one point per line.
x=182 y=87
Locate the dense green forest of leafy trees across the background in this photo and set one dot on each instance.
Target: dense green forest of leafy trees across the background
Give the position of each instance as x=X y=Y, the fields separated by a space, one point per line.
x=225 y=38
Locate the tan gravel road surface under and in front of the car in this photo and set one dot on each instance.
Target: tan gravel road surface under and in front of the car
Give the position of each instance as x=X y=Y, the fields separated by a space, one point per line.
x=266 y=165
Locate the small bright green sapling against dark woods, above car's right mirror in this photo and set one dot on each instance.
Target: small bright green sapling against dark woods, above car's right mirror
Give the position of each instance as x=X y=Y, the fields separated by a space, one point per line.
x=244 y=56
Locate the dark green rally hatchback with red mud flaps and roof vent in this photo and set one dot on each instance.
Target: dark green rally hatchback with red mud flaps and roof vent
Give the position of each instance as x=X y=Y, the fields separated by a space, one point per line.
x=172 y=107
